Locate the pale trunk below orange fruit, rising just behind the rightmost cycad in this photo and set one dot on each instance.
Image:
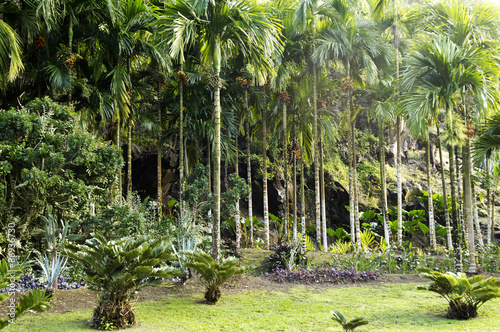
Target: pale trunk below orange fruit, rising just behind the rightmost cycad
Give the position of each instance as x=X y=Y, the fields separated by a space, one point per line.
x=468 y=206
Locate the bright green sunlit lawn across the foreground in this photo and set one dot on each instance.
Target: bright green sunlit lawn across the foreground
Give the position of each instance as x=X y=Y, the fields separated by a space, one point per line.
x=390 y=307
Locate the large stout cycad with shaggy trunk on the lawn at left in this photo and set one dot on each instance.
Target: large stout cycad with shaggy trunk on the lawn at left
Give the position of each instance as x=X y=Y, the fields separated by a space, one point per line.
x=117 y=269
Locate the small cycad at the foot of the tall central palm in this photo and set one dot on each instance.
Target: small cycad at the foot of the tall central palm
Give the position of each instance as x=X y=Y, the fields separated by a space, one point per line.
x=213 y=274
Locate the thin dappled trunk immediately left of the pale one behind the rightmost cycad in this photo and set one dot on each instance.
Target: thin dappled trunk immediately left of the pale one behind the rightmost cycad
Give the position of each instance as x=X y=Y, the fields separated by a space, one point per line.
x=457 y=239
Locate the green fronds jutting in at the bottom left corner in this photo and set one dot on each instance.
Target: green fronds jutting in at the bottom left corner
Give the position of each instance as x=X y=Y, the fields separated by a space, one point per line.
x=35 y=300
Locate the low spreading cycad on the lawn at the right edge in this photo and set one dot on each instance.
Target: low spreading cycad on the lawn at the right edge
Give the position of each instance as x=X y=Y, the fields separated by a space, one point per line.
x=464 y=295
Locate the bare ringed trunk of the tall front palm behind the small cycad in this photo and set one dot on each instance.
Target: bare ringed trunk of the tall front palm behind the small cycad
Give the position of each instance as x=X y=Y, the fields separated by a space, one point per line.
x=217 y=169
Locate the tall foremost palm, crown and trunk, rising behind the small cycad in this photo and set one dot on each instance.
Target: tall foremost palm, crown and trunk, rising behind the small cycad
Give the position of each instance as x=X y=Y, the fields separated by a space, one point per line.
x=222 y=27
